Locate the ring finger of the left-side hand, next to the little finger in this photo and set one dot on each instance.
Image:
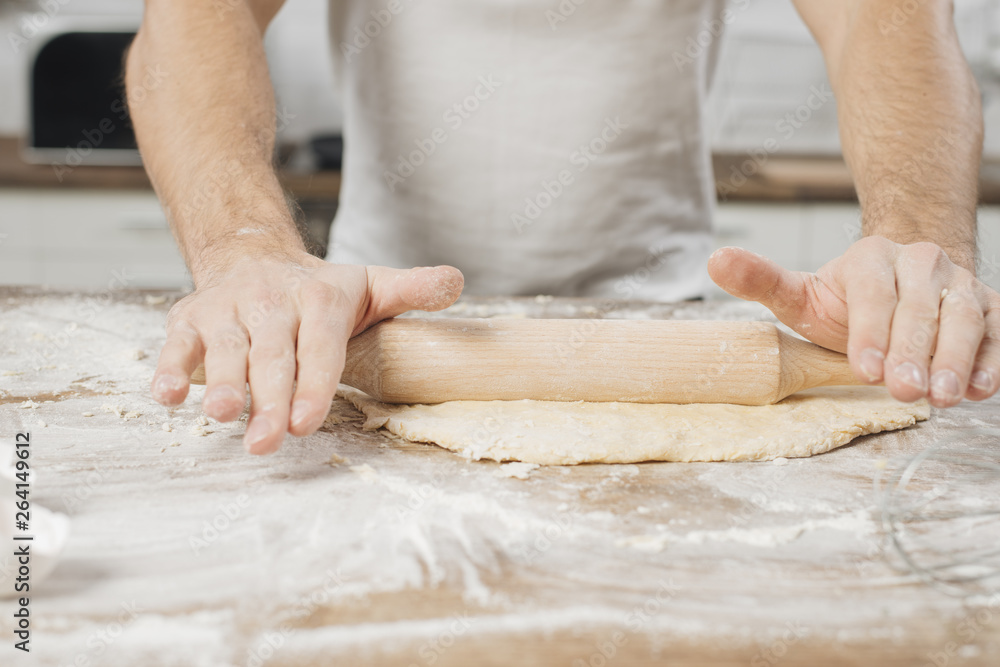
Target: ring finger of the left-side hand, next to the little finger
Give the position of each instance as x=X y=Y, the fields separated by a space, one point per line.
x=226 y=373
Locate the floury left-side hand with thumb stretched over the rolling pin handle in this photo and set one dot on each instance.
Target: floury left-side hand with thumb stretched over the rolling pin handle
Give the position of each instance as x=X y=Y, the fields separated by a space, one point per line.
x=283 y=326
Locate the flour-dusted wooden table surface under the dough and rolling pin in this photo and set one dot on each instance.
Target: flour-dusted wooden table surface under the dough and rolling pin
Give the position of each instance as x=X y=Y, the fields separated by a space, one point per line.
x=349 y=547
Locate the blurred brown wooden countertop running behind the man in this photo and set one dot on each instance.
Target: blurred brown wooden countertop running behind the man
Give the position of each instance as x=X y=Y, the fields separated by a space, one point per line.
x=780 y=178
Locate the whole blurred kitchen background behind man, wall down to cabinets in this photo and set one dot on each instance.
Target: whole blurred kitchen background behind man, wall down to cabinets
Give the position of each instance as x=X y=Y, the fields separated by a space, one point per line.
x=99 y=224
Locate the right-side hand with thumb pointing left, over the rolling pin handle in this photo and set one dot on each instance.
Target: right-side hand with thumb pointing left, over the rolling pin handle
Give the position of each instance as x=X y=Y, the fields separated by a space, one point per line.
x=905 y=315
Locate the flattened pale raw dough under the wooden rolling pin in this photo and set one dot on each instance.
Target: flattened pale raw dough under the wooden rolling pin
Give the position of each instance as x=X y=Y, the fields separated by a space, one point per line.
x=548 y=433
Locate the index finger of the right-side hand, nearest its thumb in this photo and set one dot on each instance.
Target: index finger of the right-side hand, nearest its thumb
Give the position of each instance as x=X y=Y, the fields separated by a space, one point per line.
x=872 y=299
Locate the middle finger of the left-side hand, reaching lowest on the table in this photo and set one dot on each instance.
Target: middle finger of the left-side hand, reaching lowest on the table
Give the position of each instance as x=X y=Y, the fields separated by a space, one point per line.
x=271 y=373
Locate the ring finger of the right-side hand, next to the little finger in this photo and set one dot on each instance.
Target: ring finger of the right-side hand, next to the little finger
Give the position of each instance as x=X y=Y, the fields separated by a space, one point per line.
x=960 y=331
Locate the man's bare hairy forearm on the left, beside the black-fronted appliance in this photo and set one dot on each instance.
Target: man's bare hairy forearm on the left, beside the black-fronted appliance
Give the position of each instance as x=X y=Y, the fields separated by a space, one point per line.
x=207 y=132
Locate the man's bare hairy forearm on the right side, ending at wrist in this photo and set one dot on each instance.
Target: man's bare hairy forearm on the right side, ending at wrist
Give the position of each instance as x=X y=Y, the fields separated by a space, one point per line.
x=911 y=124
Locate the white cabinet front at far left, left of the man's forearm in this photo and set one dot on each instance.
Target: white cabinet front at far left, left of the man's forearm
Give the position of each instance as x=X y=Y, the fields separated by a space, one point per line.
x=87 y=240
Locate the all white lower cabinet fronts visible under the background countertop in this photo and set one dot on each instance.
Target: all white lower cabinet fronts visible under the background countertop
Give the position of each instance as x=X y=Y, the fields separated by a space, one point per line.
x=85 y=239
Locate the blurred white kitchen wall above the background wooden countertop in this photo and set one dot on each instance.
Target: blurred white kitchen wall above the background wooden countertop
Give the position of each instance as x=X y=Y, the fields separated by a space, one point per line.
x=768 y=65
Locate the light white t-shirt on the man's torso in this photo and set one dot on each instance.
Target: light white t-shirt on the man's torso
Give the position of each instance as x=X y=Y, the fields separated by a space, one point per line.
x=541 y=146
